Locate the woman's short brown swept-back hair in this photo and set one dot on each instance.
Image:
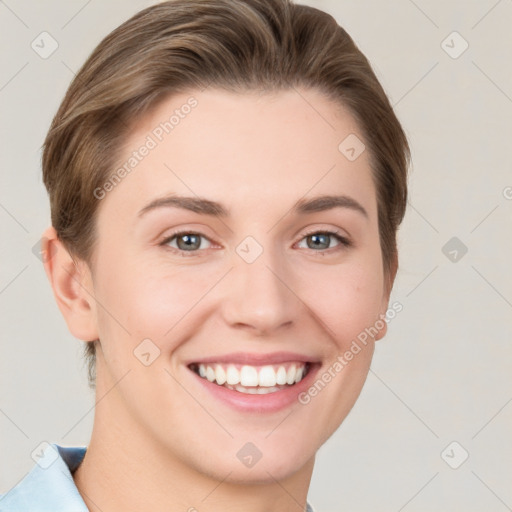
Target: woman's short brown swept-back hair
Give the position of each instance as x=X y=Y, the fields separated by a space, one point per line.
x=236 y=45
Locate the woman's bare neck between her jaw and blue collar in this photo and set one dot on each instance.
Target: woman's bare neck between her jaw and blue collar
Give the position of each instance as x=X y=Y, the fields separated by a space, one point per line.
x=125 y=469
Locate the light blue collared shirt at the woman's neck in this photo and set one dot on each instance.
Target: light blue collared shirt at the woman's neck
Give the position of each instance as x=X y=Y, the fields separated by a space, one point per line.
x=49 y=486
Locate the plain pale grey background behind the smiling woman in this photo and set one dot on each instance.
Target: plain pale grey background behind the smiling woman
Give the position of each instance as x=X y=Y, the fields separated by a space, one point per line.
x=442 y=374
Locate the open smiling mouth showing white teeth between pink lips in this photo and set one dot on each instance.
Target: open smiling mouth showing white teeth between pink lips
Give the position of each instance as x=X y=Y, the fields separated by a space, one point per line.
x=253 y=380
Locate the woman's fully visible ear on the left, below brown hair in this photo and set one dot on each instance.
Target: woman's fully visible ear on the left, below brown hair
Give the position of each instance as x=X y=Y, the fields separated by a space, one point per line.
x=71 y=283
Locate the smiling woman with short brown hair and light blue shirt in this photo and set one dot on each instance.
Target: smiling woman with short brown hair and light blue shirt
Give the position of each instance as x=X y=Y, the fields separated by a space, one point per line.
x=226 y=182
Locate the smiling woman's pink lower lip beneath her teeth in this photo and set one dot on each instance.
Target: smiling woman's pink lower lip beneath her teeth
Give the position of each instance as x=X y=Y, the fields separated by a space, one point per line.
x=270 y=402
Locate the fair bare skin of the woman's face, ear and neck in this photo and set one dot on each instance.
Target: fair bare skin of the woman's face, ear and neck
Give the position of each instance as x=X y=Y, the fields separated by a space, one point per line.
x=160 y=441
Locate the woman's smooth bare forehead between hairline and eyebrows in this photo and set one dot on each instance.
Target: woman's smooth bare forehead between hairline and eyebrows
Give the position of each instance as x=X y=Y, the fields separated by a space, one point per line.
x=230 y=147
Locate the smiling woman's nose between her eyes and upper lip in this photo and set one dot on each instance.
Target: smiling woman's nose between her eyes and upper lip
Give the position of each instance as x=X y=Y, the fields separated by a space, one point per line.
x=259 y=296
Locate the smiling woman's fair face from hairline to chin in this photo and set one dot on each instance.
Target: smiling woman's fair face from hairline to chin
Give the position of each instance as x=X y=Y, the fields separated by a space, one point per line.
x=229 y=317
